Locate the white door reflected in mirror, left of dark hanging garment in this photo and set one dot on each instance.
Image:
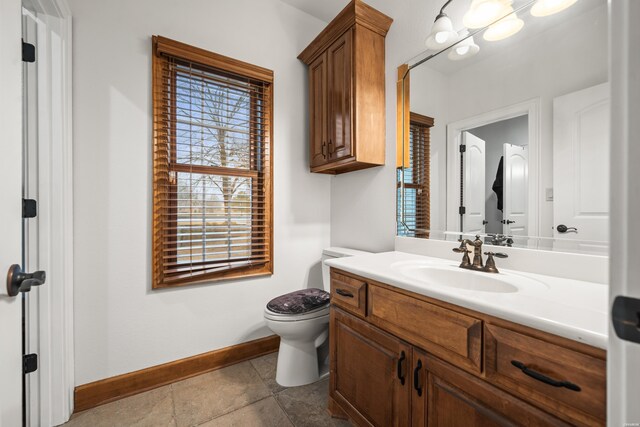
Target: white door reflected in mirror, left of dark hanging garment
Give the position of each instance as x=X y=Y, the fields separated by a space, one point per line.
x=474 y=184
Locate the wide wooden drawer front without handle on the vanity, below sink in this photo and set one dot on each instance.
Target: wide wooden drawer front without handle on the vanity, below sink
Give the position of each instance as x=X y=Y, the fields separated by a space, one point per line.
x=450 y=335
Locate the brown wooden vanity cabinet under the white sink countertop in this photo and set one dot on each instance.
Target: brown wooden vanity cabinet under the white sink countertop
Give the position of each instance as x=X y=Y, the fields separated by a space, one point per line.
x=400 y=358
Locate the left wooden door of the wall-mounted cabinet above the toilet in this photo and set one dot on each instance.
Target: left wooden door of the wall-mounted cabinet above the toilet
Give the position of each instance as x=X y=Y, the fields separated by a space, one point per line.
x=318 y=129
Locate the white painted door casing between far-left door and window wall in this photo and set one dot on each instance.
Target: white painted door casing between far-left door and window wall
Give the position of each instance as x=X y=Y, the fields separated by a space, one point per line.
x=53 y=317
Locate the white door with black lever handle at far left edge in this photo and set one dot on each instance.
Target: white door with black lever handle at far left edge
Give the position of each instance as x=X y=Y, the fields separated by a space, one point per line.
x=11 y=210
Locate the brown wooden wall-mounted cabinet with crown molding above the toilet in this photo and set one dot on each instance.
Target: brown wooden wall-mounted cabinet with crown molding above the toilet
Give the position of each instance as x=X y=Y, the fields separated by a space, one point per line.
x=347 y=91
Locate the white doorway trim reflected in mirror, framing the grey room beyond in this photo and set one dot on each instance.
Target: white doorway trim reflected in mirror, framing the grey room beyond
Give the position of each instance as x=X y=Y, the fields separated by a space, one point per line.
x=454 y=131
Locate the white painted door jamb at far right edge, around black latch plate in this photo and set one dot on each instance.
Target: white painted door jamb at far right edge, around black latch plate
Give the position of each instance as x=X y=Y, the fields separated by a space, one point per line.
x=623 y=357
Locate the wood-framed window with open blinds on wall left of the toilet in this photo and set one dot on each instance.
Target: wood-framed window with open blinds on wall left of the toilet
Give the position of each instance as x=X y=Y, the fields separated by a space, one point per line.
x=212 y=168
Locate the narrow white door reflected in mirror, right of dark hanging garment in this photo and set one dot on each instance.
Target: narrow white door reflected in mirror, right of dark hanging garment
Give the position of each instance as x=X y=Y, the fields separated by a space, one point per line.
x=515 y=189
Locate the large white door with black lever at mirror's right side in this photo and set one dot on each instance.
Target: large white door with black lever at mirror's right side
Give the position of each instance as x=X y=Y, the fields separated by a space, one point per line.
x=581 y=164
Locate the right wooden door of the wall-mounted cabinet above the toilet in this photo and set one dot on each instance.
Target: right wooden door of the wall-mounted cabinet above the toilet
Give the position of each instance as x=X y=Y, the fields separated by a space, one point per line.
x=340 y=62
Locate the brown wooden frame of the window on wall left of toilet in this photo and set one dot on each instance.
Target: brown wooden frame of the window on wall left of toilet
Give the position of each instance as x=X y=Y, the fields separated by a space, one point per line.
x=209 y=61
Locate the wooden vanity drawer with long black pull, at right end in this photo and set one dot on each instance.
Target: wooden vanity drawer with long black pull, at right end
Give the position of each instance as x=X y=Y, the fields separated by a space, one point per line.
x=562 y=380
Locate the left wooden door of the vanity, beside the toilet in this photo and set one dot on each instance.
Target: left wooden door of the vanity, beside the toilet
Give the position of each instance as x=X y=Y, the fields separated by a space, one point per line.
x=369 y=372
